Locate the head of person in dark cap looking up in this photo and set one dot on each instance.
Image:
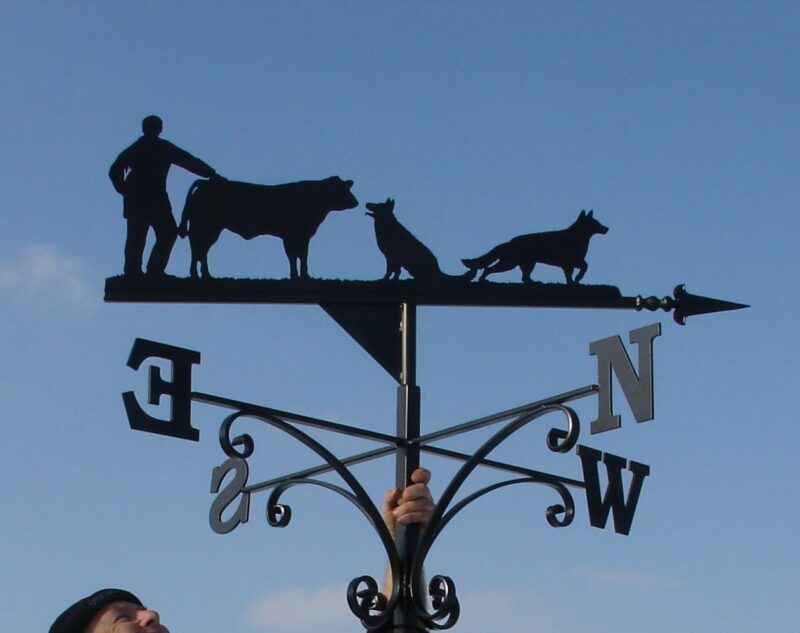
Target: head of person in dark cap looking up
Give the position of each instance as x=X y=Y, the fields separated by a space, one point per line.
x=108 y=611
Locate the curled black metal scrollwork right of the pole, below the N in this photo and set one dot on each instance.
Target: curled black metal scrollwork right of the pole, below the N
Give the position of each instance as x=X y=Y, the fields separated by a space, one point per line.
x=442 y=590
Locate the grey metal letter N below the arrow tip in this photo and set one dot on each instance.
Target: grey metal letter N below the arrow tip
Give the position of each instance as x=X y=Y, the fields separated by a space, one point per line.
x=638 y=389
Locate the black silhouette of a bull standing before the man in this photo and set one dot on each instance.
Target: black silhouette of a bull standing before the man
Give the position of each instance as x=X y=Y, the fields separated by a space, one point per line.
x=292 y=211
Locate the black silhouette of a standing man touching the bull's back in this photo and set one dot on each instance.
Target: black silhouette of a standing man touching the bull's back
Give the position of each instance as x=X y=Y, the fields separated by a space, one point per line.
x=140 y=174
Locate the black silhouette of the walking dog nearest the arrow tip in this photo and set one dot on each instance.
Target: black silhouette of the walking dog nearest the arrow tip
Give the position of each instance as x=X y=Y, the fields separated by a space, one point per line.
x=565 y=249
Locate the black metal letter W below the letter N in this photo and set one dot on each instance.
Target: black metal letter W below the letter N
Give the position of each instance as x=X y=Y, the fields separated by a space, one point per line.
x=614 y=500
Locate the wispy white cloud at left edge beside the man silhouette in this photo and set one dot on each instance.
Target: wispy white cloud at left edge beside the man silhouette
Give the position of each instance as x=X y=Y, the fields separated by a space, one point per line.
x=46 y=276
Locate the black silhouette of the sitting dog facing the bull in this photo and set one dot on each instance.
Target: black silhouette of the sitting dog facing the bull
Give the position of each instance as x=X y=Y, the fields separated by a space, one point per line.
x=400 y=248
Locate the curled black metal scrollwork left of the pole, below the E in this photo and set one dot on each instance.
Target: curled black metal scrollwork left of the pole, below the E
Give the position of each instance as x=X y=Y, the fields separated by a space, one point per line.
x=363 y=596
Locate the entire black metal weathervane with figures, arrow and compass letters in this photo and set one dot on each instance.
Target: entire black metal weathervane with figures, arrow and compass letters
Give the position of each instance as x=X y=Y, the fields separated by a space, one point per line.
x=381 y=316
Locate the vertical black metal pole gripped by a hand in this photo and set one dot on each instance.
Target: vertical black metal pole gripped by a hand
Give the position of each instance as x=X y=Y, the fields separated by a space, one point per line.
x=407 y=460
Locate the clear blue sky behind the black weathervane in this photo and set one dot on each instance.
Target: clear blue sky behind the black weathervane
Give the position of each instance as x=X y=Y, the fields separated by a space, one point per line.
x=676 y=122
